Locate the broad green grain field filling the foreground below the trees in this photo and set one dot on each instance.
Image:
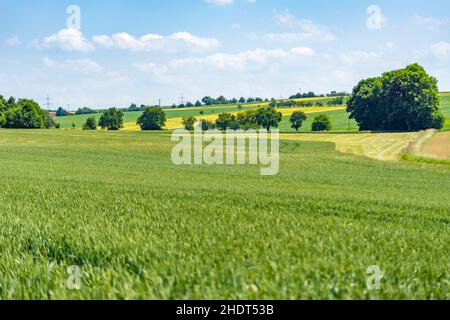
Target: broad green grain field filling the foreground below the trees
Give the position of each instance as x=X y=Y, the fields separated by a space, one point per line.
x=142 y=228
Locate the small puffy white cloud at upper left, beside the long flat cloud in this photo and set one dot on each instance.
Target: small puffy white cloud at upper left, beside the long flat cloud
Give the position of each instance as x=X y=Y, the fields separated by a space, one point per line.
x=68 y=40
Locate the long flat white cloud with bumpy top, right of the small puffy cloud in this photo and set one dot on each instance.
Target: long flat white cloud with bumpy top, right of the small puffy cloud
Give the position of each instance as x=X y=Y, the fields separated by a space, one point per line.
x=151 y=42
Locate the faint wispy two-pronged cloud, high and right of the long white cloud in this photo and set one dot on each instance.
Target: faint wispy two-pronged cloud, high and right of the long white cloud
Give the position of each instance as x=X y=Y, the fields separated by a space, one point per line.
x=306 y=30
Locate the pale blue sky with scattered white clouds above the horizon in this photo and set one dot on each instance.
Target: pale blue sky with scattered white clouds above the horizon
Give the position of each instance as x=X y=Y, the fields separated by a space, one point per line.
x=140 y=51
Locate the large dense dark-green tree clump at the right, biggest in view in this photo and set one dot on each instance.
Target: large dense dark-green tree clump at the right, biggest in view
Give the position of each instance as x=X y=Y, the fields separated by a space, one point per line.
x=400 y=100
